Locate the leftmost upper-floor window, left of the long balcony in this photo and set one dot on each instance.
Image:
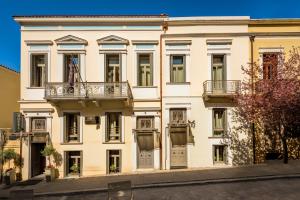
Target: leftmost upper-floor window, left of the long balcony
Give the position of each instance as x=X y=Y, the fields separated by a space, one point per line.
x=38 y=70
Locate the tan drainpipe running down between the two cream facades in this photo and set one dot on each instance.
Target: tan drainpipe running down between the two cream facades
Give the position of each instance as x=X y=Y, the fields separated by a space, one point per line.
x=165 y=28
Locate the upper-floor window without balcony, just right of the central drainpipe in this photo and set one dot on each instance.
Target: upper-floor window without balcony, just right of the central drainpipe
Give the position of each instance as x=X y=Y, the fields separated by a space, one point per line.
x=178 y=69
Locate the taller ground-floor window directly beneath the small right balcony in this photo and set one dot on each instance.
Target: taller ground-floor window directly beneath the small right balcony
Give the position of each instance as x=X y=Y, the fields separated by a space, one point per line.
x=219 y=121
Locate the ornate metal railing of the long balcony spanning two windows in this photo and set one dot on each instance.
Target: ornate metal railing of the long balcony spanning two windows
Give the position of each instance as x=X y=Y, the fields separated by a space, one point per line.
x=87 y=90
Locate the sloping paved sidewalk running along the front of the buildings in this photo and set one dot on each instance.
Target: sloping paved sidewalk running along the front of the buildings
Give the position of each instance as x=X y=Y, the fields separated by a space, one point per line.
x=273 y=170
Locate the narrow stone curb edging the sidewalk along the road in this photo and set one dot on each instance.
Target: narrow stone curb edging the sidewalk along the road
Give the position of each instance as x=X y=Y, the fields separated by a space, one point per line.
x=176 y=184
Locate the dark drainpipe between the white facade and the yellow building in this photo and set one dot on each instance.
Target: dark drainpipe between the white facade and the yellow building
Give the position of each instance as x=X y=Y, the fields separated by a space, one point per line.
x=252 y=38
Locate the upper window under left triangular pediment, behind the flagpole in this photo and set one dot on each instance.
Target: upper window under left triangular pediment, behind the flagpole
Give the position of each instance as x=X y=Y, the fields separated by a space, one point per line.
x=71 y=68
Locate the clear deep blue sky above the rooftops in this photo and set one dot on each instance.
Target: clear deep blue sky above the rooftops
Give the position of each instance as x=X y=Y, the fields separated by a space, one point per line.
x=10 y=36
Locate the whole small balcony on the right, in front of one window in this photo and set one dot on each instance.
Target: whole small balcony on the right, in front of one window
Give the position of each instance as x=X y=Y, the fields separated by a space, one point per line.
x=221 y=89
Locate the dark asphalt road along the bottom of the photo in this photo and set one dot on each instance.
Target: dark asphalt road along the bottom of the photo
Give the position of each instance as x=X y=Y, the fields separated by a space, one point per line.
x=280 y=189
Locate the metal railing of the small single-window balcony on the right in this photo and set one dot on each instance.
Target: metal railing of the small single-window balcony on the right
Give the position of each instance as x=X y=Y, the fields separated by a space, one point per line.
x=221 y=87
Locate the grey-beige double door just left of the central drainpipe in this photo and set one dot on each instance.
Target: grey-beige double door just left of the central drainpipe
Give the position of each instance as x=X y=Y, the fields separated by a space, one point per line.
x=145 y=151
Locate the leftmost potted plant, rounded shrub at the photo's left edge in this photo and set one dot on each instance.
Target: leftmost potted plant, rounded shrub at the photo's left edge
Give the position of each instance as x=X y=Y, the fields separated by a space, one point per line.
x=10 y=173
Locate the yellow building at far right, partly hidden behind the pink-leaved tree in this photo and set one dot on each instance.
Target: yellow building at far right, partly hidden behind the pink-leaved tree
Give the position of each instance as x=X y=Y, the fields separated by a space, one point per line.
x=270 y=38
